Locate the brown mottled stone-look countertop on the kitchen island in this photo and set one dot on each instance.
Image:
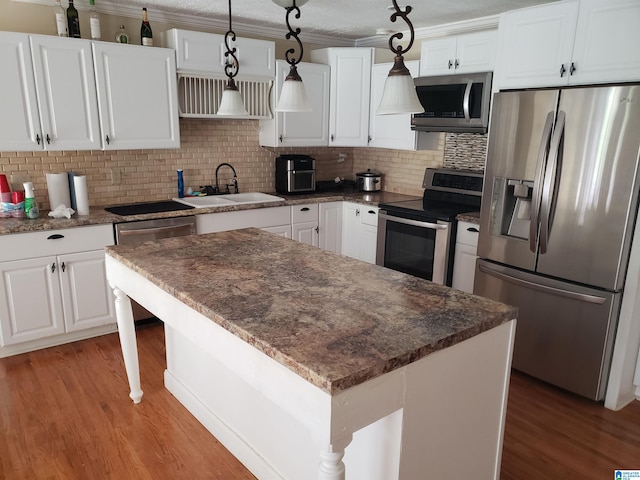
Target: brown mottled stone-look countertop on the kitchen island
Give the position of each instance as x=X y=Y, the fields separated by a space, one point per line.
x=334 y=321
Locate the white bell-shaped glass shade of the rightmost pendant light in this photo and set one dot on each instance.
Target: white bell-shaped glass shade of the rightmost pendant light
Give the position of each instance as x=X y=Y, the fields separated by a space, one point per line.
x=399 y=94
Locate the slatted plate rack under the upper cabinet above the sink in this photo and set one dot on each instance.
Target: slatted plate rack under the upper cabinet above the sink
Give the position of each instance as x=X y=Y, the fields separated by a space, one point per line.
x=199 y=96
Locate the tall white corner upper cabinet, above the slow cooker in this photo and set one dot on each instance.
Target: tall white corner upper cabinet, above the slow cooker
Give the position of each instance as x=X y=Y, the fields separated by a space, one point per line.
x=349 y=95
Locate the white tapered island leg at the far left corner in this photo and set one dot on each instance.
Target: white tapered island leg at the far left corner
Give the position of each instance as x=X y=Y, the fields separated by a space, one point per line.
x=127 y=332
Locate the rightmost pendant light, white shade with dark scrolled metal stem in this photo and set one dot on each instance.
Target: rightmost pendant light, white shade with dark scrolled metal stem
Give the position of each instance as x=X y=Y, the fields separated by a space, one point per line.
x=399 y=94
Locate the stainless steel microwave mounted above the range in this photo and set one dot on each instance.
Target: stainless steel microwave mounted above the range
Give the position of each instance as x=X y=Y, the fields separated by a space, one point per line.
x=453 y=103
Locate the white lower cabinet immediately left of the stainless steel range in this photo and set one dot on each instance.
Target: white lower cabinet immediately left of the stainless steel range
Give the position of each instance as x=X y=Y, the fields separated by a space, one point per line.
x=359 y=231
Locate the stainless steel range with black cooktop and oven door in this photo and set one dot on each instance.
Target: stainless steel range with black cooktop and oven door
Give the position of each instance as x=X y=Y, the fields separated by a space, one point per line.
x=418 y=236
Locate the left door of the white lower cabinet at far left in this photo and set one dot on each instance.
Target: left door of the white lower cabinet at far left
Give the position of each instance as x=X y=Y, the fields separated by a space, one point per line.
x=31 y=306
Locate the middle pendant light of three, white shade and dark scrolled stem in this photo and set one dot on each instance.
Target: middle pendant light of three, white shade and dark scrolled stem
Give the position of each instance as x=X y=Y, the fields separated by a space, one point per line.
x=293 y=97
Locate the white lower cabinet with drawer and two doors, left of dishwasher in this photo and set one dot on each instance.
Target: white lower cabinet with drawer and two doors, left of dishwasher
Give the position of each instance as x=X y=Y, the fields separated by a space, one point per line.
x=59 y=296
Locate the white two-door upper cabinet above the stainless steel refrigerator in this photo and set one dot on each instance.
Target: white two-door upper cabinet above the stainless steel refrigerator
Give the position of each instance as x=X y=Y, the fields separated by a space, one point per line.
x=569 y=43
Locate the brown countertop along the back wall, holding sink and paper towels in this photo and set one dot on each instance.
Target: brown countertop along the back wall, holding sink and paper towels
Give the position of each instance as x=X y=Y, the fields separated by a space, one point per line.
x=98 y=215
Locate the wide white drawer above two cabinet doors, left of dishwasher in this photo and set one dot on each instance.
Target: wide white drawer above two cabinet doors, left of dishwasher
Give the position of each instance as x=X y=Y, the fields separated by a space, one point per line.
x=20 y=246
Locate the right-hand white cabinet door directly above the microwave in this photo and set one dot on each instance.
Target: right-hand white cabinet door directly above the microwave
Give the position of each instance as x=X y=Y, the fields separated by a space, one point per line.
x=476 y=52
